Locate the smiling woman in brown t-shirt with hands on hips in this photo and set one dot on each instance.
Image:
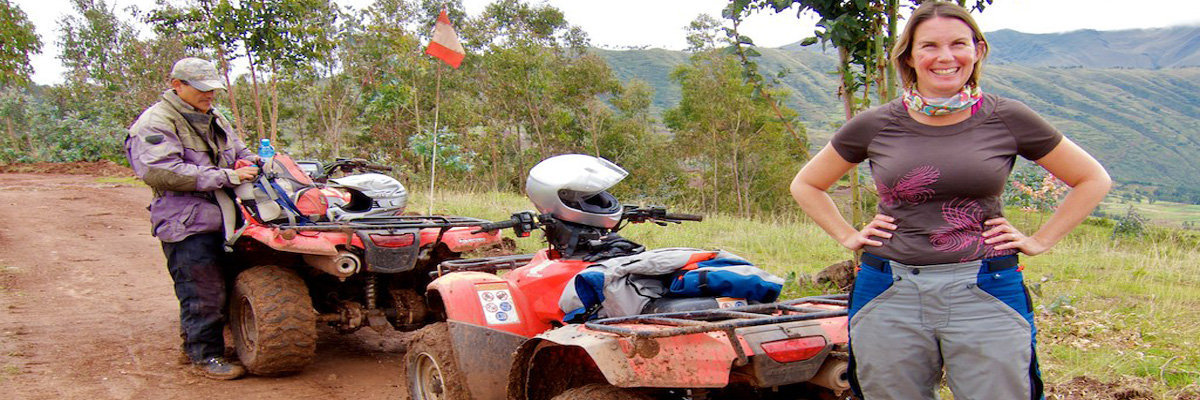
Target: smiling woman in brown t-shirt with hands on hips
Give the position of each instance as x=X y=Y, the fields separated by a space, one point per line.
x=940 y=158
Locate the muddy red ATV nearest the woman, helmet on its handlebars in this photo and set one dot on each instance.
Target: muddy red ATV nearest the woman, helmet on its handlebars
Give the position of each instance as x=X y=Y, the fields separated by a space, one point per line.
x=505 y=336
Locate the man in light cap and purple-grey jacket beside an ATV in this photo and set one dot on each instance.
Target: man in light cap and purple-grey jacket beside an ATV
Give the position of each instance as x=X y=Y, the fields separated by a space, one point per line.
x=188 y=156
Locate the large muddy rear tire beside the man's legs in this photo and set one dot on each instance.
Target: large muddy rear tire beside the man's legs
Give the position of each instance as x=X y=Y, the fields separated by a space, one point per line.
x=273 y=321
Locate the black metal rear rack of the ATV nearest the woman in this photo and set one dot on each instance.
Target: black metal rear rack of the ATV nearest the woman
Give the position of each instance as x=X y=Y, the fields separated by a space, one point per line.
x=692 y=323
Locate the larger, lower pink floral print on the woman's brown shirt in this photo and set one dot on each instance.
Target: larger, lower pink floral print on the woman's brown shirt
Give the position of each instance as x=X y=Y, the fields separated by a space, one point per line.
x=964 y=234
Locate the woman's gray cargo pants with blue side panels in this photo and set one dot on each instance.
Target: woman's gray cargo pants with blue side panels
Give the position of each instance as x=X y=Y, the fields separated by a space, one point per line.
x=975 y=319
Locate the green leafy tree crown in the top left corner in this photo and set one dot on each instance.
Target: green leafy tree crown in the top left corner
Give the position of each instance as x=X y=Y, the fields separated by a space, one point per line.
x=19 y=41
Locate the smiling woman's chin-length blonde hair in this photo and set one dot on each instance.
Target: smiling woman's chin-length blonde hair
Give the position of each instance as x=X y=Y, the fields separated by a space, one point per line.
x=927 y=11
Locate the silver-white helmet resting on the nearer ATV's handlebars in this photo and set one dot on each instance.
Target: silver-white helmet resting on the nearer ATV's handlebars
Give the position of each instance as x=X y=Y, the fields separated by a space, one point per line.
x=572 y=188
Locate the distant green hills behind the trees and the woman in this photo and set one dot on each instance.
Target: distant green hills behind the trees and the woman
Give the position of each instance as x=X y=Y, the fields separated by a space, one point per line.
x=1131 y=98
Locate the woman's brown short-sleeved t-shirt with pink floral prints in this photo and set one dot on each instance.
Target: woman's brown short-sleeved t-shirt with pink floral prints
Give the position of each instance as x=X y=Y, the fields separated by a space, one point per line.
x=941 y=183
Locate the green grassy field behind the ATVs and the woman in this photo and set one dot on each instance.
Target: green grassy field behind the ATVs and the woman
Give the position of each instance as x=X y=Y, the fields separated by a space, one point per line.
x=1107 y=308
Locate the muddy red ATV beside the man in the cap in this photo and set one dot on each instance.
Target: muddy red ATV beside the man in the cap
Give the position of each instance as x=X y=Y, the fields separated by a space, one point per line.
x=346 y=273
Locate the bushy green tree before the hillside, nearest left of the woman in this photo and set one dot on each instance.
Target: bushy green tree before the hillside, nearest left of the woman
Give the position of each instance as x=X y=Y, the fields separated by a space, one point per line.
x=727 y=132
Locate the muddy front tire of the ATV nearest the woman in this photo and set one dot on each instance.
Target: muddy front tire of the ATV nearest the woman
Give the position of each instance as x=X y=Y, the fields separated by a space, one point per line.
x=430 y=368
